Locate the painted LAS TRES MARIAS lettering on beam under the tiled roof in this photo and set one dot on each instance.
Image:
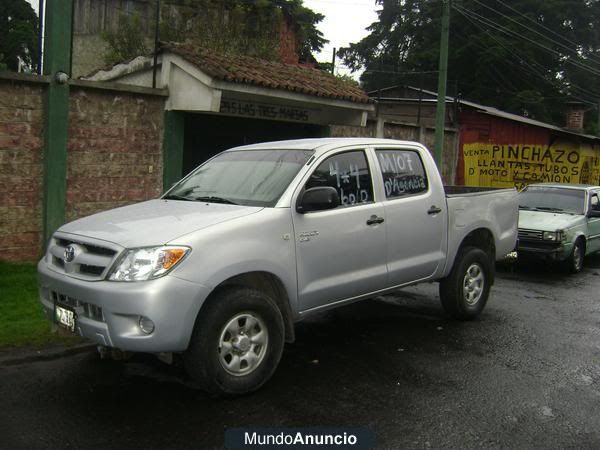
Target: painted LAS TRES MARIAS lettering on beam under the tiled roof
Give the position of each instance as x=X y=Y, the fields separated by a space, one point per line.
x=259 y=110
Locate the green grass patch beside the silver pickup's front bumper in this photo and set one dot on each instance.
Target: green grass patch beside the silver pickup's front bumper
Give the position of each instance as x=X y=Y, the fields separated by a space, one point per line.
x=22 y=322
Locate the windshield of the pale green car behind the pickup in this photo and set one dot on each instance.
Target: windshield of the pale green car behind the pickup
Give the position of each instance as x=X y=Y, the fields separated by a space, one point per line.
x=561 y=200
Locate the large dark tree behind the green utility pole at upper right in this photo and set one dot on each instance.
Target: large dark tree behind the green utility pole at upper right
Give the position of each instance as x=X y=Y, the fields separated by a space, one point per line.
x=524 y=56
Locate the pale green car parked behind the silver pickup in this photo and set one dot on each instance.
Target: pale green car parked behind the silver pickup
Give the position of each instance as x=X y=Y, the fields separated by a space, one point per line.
x=559 y=222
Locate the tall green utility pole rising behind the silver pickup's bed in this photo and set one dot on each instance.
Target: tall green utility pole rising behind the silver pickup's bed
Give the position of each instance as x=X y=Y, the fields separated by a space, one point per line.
x=440 y=115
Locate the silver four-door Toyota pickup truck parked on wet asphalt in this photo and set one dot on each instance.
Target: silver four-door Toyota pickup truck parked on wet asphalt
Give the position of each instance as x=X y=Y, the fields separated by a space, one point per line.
x=221 y=267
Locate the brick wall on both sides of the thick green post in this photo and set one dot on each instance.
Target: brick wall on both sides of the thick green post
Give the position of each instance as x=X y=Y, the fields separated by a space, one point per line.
x=114 y=157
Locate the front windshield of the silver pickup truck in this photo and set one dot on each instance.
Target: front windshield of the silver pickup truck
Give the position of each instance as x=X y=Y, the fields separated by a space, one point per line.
x=242 y=177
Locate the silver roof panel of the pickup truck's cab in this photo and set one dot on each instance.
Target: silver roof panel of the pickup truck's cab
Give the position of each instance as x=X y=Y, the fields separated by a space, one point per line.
x=321 y=144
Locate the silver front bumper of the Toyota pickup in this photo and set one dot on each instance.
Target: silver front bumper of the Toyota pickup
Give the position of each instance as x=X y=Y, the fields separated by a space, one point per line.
x=108 y=312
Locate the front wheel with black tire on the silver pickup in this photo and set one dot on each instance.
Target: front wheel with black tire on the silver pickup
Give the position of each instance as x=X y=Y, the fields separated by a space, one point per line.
x=203 y=359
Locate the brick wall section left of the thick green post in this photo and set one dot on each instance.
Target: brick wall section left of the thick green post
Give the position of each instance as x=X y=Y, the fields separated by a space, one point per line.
x=21 y=176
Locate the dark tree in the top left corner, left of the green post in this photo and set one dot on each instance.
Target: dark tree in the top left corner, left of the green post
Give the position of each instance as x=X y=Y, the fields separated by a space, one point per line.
x=19 y=40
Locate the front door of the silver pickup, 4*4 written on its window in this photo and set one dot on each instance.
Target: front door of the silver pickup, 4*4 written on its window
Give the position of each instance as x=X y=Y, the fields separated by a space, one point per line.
x=340 y=252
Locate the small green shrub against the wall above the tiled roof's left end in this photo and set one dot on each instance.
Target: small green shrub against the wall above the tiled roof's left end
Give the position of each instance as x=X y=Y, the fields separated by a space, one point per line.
x=127 y=42
